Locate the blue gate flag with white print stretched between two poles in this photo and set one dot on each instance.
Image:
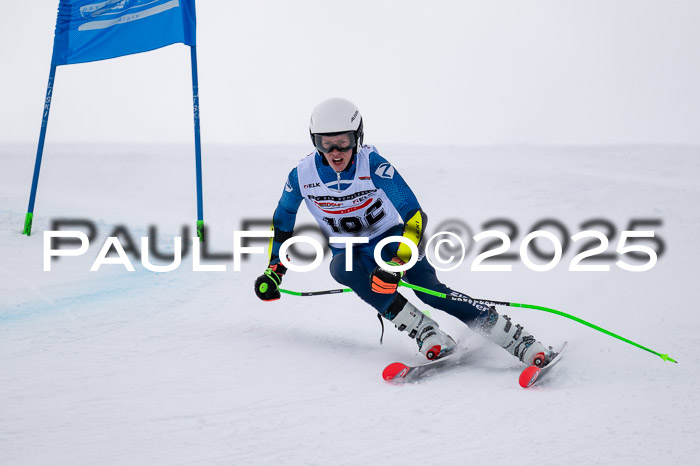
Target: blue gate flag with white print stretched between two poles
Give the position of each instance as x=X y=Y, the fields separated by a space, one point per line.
x=91 y=30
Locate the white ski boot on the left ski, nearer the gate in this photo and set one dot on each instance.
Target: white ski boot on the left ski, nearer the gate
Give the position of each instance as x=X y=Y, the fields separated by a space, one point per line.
x=433 y=343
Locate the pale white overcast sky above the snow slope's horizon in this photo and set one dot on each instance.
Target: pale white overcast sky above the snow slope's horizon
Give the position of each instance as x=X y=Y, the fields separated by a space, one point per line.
x=439 y=73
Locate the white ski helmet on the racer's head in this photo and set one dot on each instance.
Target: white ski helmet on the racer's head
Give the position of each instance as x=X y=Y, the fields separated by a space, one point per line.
x=335 y=116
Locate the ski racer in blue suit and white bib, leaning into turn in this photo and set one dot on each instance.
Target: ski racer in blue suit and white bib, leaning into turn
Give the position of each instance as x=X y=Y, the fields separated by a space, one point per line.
x=352 y=191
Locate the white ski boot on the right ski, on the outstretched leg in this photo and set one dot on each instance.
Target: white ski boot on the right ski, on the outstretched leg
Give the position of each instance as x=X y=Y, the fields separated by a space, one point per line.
x=515 y=339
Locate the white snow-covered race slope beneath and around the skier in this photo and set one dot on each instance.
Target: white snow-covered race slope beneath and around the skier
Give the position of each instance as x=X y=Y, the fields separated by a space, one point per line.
x=183 y=367
